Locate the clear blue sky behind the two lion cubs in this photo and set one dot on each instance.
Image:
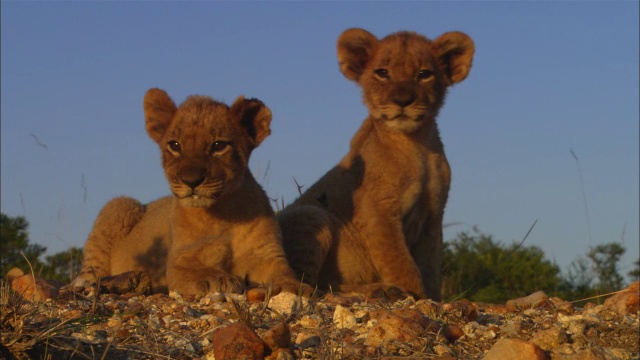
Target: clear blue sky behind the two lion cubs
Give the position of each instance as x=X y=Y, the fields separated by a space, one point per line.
x=548 y=77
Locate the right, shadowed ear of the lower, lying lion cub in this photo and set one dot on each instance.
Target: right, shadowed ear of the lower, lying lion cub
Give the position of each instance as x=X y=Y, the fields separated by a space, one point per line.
x=255 y=118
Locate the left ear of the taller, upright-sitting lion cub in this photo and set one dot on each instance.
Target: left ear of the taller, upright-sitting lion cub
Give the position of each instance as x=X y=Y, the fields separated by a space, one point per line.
x=355 y=48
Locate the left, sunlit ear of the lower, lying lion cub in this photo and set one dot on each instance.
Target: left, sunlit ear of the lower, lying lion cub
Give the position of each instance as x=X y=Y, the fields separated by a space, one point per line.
x=158 y=112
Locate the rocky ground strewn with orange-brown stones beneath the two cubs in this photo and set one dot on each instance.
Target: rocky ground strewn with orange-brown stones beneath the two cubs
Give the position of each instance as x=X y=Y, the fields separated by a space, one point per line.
x=120 y=322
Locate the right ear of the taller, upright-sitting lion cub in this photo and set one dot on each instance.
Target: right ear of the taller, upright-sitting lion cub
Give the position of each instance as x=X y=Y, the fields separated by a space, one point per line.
x=455 y=55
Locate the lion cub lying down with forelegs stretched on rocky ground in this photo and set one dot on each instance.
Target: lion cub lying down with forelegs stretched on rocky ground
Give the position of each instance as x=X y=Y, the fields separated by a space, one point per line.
x=218 y=230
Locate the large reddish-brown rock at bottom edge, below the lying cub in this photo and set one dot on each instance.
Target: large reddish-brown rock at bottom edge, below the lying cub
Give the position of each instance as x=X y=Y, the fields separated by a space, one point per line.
x=237 y=341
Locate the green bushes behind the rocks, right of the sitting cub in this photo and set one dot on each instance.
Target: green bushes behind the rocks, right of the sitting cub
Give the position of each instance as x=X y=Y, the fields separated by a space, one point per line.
x=479 y=268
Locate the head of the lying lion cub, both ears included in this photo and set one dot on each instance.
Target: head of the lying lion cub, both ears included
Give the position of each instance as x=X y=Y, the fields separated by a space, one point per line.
x=205 y=144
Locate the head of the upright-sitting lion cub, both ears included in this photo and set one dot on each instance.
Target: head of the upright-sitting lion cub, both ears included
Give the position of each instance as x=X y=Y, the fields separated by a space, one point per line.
x=404 y=76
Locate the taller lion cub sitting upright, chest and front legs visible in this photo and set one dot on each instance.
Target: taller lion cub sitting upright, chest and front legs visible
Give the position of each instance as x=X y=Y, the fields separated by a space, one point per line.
x=374 y=222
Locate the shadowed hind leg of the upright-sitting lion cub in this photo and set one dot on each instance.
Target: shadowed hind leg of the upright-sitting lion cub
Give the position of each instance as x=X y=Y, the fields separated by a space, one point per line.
x=307 y=235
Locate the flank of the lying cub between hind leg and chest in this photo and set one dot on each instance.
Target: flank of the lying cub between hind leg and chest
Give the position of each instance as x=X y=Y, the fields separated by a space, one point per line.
x=145 y=248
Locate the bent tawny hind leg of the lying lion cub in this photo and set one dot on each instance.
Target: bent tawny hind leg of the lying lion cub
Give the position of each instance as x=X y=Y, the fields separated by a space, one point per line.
x=114 y=222
